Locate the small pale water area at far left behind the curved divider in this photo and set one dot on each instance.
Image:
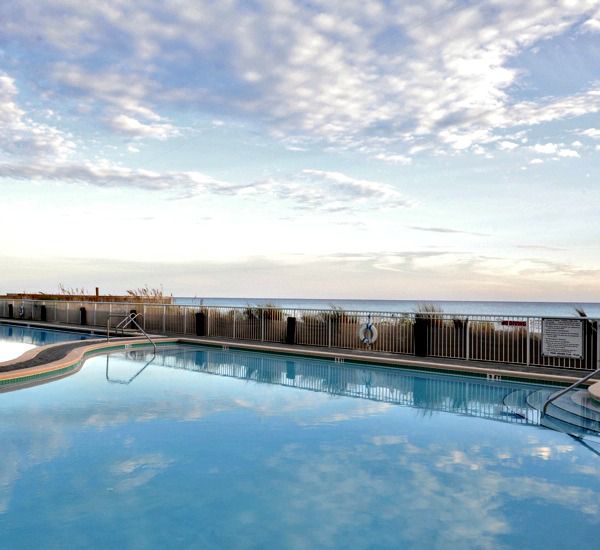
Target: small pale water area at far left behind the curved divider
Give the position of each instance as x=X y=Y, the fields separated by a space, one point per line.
x=16 y=339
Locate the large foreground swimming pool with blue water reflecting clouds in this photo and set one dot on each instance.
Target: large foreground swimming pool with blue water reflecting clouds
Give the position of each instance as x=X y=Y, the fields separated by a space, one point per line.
x=211 y=448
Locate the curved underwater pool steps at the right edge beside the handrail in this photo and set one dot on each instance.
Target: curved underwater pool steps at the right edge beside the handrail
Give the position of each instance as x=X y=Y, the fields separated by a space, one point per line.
x=573 y=413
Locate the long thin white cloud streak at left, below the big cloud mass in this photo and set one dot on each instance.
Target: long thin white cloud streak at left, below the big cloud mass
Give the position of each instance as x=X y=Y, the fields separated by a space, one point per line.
x=308 y=189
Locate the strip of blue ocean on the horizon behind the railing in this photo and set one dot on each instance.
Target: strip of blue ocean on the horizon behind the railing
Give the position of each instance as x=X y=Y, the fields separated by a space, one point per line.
x=540 y=309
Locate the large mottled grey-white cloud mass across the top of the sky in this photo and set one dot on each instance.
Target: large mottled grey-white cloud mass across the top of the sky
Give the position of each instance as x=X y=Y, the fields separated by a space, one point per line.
x=345 y=74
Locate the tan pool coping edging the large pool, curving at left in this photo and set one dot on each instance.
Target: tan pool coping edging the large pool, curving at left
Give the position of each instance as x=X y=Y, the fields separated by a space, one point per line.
x=72 y=361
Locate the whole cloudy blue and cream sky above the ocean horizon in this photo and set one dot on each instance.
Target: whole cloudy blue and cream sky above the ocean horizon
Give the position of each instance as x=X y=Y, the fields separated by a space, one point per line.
x=351 y=149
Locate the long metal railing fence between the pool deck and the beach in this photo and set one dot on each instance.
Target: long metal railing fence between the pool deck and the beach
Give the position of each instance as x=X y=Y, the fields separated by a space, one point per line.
x=488 y=338
